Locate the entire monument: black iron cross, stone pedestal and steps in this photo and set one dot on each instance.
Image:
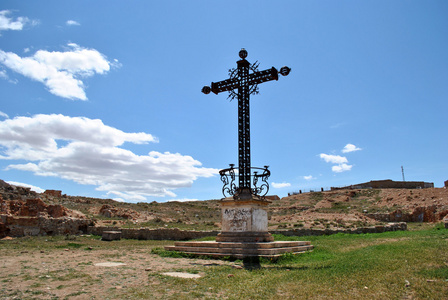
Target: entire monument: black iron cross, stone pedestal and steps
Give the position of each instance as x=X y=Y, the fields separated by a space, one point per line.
x=244 y=218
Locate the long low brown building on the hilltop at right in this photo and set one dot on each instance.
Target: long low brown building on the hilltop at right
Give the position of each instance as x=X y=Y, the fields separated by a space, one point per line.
x=388 y=184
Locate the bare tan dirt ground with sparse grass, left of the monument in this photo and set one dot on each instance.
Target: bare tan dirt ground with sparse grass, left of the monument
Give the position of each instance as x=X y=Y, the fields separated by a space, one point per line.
x=55 y=268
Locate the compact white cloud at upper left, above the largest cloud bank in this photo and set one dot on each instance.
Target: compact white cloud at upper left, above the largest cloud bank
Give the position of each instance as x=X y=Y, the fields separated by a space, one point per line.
x=60 y=72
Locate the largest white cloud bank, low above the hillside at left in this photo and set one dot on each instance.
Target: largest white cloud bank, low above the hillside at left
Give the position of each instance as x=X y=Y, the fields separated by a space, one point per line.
x=88 y=152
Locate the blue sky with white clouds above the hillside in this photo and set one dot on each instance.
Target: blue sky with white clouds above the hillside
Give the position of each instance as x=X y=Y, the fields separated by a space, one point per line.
x=103 y=98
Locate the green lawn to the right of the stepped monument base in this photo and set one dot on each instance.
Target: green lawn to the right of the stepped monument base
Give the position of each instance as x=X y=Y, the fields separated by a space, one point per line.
x=342 y=266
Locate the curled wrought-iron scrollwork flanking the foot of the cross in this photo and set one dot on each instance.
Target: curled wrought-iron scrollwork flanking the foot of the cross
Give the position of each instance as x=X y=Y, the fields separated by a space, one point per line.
x=260 y=185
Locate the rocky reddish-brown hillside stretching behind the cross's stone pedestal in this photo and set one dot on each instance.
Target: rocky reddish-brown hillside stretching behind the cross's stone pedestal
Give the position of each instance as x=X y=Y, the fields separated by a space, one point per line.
x=330 y=209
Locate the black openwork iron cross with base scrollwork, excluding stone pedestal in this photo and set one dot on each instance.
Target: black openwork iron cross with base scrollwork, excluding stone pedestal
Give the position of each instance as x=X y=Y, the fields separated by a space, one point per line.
x=245 y=79
